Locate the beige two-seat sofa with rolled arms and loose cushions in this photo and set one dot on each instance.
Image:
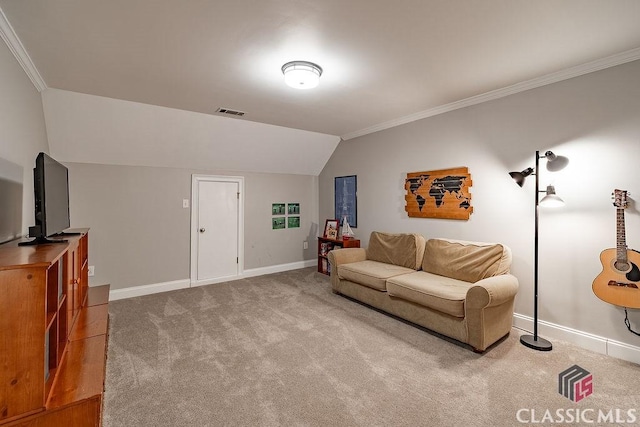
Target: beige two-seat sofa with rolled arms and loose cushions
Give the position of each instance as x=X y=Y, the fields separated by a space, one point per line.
x=457 y=288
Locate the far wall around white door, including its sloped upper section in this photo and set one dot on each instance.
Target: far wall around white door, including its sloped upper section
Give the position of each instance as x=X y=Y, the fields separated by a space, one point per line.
x=130 y=167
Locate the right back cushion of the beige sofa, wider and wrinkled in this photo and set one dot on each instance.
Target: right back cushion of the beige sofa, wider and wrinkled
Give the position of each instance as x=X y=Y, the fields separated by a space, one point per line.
x=468 y=261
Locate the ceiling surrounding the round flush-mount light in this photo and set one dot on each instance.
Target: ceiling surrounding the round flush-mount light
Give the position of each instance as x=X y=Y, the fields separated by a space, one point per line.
x=384 y=62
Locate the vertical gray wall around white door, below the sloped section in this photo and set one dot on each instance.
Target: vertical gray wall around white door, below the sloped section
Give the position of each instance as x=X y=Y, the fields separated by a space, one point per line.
x=140 y=233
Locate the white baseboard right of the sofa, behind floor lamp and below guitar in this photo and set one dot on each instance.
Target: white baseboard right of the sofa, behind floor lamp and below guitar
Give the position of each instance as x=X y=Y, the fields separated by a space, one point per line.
x=582 y=339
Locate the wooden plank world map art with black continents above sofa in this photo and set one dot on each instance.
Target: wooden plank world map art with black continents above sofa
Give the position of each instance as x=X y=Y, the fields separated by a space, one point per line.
x=441 y=193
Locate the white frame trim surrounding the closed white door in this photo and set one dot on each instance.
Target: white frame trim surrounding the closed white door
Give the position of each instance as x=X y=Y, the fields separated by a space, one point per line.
x=195 y=180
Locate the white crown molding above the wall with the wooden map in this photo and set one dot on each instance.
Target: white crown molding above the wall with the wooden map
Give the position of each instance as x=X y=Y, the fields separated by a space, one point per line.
x=579 y=70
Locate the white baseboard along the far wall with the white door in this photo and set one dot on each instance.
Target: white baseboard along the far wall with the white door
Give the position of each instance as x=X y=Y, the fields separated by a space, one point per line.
x=155 y=288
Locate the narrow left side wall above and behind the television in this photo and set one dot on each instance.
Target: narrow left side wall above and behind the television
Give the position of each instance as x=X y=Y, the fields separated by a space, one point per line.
x=22 y=127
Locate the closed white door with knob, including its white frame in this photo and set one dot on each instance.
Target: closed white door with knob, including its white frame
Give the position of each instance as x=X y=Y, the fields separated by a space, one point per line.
x=216 y=229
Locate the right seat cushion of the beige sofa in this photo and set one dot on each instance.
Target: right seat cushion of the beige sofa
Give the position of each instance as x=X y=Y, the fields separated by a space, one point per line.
x=431 y=290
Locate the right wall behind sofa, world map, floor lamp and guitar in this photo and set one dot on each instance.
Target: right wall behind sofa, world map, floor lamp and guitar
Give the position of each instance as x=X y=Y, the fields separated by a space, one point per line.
x=594 y=120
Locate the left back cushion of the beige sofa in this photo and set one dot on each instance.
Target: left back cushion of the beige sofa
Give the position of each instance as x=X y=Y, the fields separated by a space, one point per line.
x=404 y=249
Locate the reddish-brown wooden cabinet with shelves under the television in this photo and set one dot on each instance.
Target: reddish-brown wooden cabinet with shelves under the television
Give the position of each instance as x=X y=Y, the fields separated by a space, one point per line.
x=53 y=335
